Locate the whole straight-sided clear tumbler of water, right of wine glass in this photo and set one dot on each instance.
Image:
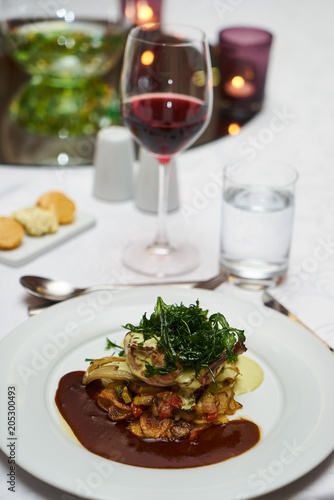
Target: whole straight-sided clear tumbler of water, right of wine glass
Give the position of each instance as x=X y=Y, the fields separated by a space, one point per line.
x=257 y=222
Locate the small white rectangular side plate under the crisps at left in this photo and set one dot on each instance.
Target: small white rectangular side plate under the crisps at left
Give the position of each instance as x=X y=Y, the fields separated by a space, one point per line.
x=33 y=246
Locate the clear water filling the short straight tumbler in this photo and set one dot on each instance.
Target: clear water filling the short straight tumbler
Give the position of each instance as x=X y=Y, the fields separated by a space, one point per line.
x=256 y=232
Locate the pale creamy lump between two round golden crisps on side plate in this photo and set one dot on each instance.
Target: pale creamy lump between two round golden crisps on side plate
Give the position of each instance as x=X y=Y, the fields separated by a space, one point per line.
x=37 y=221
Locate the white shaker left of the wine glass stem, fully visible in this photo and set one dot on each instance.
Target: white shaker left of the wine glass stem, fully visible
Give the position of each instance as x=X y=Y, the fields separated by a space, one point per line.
x=114 y=161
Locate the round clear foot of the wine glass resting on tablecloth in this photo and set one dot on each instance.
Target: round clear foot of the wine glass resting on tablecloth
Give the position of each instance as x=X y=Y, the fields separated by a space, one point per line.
x=160 y=261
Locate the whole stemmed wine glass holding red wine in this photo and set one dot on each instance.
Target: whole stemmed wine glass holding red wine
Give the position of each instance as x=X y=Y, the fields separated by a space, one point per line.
x=166 y=102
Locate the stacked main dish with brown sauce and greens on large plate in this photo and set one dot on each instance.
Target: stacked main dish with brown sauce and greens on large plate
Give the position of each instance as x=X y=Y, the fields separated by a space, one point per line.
x=169 y=391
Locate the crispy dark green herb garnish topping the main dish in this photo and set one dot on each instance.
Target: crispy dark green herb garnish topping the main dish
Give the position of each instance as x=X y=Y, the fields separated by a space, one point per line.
x=188 y=337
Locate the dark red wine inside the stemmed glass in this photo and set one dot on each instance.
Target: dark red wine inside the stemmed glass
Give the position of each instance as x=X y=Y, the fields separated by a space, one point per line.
x=164 y=124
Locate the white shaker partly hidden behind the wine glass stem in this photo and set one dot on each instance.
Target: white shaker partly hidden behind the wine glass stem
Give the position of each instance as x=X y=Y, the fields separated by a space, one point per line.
x=147 y=183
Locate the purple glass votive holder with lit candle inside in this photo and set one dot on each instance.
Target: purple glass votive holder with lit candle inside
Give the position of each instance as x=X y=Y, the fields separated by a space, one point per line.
x=244 y=56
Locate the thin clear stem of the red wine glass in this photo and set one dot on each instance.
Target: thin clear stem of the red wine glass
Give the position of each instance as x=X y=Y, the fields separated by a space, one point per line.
x=161 y=241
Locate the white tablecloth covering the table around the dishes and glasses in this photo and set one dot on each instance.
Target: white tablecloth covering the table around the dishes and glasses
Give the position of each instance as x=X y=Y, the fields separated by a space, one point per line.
x=295 y=126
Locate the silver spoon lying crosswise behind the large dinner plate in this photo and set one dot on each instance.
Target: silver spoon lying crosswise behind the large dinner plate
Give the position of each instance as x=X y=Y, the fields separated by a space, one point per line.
x=57 y=291
